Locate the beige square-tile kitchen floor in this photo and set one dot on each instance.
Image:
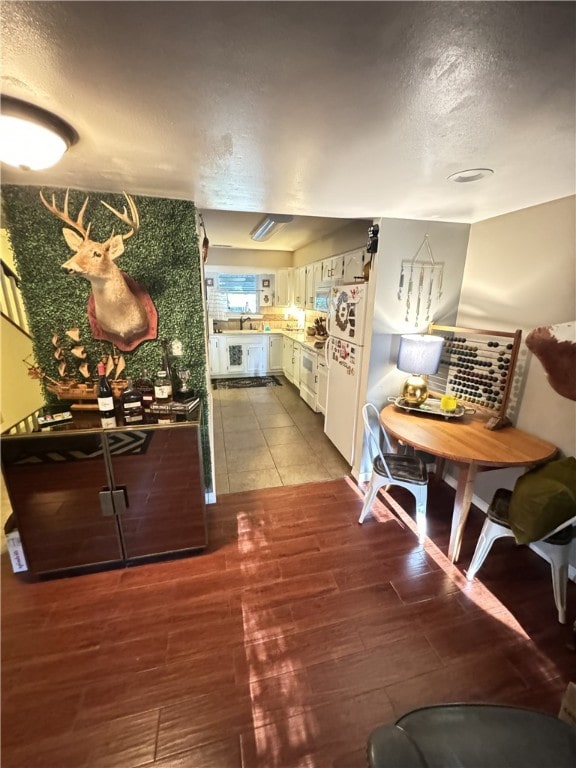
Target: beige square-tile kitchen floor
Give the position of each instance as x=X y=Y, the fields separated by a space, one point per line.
x=268 y=436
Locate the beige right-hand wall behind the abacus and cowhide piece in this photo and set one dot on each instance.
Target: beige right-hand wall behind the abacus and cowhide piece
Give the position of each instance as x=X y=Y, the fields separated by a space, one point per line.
x=521 y=273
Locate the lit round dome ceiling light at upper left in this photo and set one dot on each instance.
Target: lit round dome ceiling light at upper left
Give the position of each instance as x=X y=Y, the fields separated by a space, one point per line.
x=30 y=137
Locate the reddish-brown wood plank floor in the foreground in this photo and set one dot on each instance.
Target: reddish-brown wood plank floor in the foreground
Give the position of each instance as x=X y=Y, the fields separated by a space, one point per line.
x=282 y=646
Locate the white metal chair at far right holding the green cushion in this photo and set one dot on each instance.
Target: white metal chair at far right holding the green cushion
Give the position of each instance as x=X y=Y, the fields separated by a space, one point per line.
x=555 y=547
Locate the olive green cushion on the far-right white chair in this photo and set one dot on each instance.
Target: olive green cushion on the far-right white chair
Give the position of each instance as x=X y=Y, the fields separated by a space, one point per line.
x=542 y=500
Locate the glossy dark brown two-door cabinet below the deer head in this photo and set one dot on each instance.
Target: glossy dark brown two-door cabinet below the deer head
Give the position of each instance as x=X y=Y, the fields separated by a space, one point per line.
x=106 y=497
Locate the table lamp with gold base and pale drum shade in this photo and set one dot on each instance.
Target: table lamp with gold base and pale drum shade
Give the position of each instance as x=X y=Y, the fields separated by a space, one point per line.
x=419 y=355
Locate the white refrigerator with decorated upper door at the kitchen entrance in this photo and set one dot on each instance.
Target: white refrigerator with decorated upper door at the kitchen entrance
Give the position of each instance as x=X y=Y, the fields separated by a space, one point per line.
x=346 y=320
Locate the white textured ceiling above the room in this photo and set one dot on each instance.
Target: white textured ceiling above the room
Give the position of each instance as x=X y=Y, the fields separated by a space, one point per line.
x=318 y=109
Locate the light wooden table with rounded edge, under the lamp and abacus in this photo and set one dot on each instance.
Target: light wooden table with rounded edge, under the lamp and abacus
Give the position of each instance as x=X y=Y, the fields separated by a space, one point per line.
x=466 y=442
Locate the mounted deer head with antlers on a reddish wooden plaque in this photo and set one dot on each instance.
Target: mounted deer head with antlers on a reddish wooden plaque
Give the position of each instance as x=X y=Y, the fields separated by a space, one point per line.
x=119 y=309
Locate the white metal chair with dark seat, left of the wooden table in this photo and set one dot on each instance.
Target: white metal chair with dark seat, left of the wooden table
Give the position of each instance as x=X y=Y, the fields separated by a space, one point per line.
x=389 y=468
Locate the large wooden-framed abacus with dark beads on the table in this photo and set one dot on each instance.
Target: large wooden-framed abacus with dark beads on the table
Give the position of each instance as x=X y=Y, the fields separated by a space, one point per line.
x=477 y=366
